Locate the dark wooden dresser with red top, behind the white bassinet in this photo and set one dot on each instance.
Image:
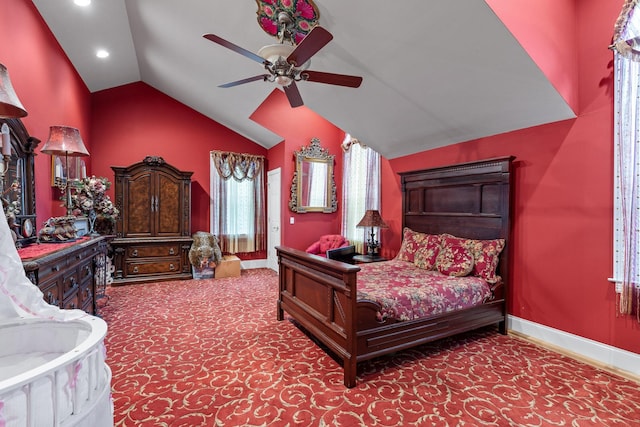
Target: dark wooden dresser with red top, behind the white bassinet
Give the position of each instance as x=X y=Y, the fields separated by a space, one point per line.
x=69 y=277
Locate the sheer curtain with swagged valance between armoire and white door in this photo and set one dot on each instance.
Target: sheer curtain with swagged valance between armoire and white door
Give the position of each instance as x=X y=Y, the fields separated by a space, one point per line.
x=237 y=201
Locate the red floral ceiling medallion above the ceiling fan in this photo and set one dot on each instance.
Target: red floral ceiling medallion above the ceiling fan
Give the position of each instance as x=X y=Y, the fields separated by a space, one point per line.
x=302 y=15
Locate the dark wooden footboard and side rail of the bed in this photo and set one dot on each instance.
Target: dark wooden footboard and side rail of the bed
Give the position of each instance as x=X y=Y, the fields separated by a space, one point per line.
x=321 y=295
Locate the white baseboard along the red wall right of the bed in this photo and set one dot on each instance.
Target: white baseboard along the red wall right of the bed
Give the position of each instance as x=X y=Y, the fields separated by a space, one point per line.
x=602 y=354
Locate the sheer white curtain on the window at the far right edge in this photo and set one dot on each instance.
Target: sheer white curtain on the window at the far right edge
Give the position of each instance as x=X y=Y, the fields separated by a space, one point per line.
x=626 y=43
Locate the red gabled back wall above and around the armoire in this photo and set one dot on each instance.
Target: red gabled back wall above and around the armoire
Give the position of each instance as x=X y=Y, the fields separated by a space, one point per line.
x=132 y=121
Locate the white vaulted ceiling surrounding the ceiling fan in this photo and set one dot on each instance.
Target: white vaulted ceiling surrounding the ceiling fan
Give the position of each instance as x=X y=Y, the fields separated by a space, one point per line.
x=436 y=72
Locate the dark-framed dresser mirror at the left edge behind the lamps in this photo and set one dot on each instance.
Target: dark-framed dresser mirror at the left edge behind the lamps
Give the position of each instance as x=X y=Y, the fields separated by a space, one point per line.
x=17 y=181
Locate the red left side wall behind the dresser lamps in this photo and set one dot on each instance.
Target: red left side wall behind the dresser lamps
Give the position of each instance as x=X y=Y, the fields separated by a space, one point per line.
x=48 y=87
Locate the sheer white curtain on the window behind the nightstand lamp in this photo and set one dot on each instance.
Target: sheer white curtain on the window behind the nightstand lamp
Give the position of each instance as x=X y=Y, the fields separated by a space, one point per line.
x=360 y=189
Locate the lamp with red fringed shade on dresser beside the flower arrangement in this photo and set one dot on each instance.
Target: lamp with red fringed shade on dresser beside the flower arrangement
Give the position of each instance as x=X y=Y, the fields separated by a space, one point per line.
x=65 y=141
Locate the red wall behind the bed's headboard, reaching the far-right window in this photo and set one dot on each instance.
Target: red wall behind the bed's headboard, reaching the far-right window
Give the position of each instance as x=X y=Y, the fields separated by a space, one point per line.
x=562 y=235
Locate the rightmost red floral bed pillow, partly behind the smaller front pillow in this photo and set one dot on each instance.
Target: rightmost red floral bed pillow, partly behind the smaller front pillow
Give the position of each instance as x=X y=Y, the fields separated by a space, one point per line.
x=485 y=255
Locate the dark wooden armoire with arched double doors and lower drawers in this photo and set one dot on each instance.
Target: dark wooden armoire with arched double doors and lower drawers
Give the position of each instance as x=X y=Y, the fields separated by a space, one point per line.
x=153 y=230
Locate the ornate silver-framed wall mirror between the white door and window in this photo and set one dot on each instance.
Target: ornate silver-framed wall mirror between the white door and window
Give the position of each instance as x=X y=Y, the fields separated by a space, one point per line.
x=313 y=188
